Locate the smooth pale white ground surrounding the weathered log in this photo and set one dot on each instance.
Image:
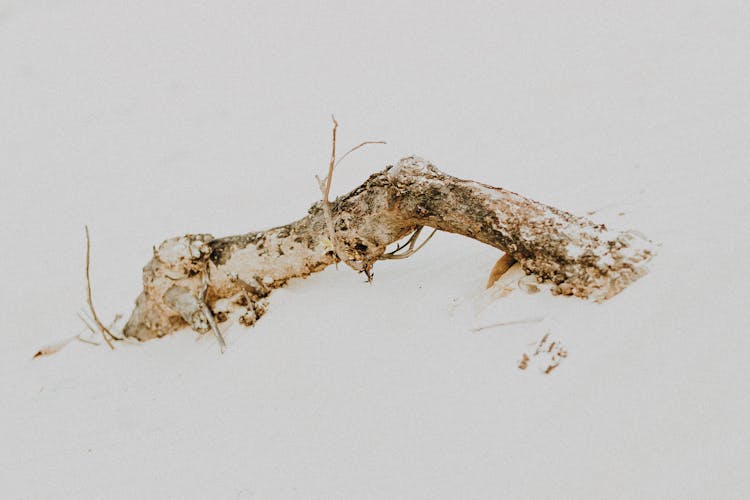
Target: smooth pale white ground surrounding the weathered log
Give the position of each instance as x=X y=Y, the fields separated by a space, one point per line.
x=161 y=118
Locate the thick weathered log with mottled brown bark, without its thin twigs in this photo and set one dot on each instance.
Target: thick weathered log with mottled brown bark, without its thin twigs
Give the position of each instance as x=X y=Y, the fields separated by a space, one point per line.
x=580 y=257
